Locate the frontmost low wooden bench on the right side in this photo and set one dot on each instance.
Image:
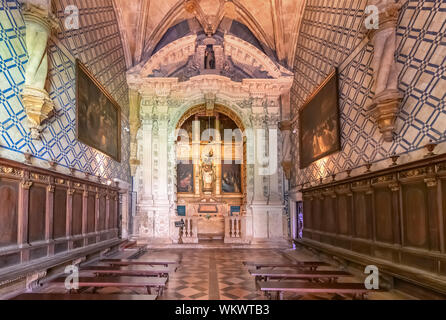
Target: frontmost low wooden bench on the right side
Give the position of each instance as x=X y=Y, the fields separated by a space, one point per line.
x=358 y=290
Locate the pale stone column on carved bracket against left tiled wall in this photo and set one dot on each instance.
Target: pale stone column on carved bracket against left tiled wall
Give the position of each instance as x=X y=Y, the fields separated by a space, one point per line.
x=39 y=21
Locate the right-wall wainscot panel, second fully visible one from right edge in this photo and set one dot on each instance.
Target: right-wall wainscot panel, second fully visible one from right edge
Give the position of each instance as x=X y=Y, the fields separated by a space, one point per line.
x=383 y=215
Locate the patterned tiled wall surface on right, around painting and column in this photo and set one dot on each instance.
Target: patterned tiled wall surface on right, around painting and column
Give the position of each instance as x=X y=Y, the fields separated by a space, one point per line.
x=332 y=36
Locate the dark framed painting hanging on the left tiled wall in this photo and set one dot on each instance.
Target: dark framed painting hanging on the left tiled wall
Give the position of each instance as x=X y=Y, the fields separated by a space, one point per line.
x=98 y=114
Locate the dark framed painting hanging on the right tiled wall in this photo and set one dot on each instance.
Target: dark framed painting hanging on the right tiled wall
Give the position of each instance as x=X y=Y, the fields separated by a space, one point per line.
x=319 y=123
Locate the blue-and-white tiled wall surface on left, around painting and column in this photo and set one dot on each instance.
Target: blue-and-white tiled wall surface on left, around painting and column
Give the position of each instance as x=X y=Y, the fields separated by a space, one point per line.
x=97 y=43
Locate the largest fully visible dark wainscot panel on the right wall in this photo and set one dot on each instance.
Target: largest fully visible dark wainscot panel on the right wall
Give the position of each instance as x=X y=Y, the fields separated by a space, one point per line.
x=415 y=215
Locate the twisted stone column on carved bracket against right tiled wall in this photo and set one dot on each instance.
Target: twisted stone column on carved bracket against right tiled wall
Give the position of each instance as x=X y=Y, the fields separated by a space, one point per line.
x=385 y=105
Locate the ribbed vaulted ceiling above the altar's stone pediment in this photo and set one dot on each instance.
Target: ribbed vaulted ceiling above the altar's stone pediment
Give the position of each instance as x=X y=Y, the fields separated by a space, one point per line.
x=143 y=23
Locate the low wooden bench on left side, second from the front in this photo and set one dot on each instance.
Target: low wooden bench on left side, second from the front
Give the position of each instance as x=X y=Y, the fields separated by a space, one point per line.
x=119 y=282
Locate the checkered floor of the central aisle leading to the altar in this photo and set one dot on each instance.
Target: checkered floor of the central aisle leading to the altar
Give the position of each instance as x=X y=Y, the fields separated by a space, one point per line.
x=213 y=274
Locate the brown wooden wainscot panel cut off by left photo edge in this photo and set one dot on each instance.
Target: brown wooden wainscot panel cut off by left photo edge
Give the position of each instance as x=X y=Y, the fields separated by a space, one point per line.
x=8 y=212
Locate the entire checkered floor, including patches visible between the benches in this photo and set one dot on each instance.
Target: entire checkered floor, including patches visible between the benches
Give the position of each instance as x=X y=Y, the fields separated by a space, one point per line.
x=218 y=274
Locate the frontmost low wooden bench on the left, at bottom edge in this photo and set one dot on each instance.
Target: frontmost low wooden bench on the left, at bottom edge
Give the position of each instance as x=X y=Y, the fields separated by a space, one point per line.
x=64 y=296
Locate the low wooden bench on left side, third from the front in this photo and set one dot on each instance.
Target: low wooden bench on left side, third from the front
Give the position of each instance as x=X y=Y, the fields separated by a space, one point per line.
x=133 y=270
